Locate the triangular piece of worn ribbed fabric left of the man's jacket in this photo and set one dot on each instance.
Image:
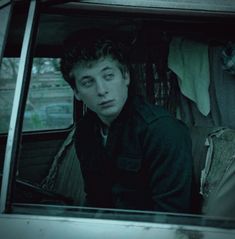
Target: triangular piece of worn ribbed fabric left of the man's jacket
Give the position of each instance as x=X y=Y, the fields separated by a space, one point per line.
x=65 y=177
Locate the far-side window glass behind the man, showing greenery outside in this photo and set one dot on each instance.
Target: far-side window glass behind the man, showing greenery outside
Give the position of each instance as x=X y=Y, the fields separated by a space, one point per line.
x=49 y=103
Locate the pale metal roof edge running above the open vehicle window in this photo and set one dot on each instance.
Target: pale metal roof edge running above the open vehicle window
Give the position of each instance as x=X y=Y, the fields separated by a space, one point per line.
x=199 y=7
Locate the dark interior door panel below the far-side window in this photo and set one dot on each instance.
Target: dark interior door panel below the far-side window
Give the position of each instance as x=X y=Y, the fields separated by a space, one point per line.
x=35 y=159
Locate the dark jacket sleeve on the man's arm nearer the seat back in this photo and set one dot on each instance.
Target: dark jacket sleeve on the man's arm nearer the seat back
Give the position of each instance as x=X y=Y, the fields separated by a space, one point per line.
x=167 y=147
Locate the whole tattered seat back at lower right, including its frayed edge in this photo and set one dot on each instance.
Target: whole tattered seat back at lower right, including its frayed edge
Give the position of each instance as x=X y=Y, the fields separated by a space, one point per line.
x=214 y=168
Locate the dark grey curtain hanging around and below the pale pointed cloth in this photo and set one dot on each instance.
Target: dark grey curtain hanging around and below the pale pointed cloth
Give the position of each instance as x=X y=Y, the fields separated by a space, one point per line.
x=221 y=90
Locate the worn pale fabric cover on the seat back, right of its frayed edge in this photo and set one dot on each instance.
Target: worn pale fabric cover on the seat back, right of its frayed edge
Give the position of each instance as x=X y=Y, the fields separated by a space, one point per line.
x=218 y=176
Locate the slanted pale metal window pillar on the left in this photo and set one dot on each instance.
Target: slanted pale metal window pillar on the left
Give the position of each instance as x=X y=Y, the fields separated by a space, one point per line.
x=19 y=102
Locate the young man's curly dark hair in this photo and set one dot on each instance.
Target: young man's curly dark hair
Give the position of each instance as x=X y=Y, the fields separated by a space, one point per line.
x=89 y=45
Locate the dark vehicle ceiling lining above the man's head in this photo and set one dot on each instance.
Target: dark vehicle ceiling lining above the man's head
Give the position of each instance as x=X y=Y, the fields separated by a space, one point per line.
x=55 y=26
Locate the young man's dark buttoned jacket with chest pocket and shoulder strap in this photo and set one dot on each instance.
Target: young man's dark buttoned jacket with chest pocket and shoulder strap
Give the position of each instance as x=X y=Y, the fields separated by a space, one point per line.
x=146 y=163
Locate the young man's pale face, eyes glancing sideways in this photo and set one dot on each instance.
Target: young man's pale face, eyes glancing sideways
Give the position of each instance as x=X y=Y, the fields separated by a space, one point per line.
x=102 y=87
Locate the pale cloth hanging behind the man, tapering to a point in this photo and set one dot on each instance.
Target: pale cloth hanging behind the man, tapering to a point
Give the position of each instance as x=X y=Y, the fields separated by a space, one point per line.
x=190 y=62
